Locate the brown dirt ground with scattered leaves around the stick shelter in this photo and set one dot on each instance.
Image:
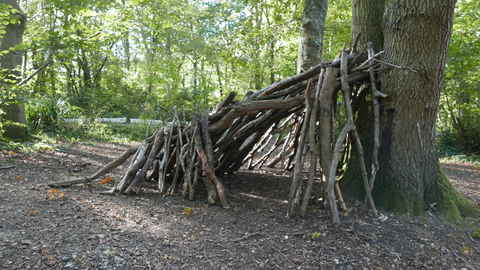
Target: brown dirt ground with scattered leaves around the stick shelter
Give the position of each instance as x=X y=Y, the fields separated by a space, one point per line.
x=78 y=228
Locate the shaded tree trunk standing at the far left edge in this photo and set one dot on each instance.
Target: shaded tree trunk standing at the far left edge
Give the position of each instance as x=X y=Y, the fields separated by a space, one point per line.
x=15 y=123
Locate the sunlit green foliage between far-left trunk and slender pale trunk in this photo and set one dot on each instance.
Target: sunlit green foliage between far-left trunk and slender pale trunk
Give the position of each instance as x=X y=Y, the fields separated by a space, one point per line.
x=138 y=58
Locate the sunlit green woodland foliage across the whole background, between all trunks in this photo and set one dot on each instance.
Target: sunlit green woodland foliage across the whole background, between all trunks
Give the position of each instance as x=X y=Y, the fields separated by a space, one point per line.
x=140 y=58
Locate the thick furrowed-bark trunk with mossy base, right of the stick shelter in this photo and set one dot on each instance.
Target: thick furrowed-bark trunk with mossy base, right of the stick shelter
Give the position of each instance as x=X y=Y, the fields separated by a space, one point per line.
x=417 y=35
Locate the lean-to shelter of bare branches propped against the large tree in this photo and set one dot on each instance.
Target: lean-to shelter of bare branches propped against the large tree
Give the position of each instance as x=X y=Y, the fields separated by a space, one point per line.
x=287 y=121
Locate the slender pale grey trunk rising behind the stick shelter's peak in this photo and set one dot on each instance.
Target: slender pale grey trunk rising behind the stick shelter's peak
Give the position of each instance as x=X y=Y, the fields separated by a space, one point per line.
x=311 y=34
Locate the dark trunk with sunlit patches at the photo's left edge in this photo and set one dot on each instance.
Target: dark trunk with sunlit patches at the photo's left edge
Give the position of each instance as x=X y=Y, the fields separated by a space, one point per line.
x=14 y=117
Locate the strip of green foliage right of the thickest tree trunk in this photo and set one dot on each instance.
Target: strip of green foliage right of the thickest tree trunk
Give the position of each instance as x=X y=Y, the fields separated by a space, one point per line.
x=459 y=115
